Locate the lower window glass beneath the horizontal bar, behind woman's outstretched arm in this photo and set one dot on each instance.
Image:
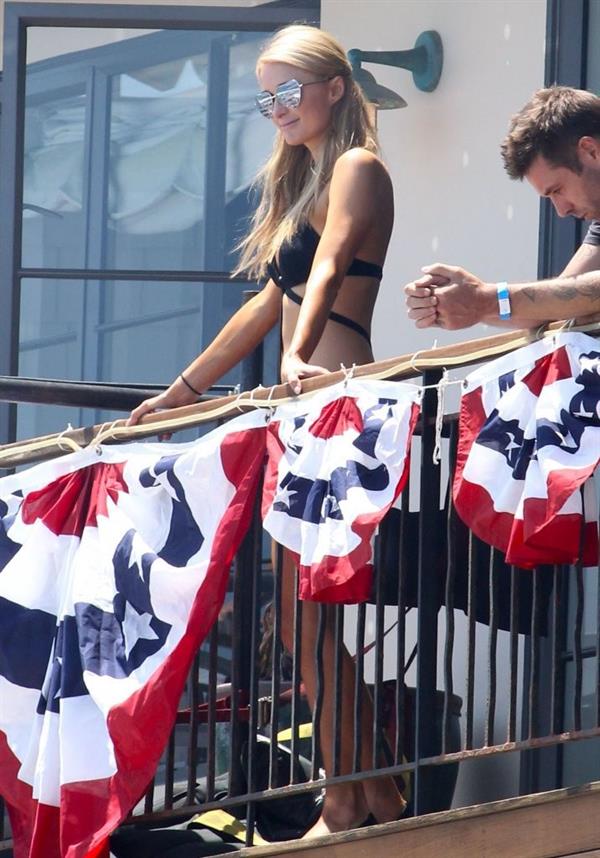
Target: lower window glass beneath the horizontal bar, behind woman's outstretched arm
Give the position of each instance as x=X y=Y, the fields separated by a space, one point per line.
x=122 y=332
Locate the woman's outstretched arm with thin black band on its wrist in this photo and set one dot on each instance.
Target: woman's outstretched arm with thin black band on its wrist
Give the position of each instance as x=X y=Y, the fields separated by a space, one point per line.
x=242 y=333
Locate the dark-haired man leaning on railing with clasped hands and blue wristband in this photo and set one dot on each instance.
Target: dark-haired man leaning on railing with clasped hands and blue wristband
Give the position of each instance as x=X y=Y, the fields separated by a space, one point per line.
x=554 y=143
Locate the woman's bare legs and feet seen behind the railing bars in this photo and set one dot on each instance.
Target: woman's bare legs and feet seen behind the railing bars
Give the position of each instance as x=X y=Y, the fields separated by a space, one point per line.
x=346 y=805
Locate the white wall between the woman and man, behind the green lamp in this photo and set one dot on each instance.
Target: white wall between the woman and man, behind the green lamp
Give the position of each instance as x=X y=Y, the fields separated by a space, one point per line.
x=454 y=203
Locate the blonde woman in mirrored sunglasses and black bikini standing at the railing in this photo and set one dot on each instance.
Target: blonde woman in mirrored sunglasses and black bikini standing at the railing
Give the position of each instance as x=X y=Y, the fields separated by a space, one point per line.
x=319 y=239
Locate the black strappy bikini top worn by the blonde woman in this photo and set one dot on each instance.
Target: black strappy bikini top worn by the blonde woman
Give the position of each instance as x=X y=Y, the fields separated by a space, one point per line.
x=292 y=265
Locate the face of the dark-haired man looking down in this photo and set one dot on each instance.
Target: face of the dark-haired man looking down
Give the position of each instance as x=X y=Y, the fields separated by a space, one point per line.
x=571 y=193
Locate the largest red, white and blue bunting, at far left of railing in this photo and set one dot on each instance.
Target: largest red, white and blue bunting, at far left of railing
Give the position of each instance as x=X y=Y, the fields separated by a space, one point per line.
x=114 y=568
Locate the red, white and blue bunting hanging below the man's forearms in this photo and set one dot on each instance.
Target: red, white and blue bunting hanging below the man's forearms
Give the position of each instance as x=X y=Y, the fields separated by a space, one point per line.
x=529 y=440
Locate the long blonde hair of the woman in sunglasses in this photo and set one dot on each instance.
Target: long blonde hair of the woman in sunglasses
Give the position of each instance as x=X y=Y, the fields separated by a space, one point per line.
x=290 y=183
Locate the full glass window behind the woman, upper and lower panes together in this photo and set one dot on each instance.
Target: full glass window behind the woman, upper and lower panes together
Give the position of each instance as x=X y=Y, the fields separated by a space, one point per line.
x=140 y=149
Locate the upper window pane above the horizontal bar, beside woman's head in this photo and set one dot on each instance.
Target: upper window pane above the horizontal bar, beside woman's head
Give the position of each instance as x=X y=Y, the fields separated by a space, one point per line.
x=139 y=151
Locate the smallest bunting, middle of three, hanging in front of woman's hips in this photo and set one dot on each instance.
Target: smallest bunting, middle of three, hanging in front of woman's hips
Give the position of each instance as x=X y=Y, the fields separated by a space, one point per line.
x=337 y=462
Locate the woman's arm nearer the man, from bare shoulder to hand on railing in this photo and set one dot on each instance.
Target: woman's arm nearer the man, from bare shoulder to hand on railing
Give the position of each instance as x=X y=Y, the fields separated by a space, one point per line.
x=359 y=192
